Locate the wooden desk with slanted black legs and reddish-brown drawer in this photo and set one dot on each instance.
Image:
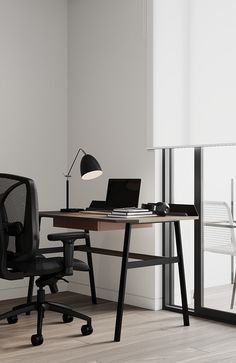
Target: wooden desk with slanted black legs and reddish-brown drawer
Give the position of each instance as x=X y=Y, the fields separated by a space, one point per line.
x=97 y=222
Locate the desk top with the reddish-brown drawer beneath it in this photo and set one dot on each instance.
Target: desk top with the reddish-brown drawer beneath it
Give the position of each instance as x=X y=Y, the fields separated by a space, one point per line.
x=103 y=222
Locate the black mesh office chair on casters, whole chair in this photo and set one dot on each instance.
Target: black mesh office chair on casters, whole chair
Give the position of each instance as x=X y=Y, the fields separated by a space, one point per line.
x=19 y=256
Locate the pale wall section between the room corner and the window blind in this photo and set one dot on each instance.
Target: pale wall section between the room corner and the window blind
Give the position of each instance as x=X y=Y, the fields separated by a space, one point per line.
x=107 y=87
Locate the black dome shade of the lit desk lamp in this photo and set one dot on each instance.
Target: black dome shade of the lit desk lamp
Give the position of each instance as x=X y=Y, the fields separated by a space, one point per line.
x=89 y=167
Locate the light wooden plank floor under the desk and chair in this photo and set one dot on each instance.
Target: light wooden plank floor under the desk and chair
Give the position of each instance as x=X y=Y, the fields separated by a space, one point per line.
x=147 y=336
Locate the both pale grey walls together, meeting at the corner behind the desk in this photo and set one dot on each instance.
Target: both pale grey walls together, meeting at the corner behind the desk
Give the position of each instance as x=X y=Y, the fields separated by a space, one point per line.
x=107 y=113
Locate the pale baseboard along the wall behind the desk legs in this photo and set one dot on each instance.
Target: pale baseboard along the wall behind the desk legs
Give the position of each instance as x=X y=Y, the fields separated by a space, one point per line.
x=112 y=295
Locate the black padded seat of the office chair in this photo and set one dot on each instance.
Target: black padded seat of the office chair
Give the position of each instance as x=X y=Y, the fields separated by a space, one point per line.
x=40 y=265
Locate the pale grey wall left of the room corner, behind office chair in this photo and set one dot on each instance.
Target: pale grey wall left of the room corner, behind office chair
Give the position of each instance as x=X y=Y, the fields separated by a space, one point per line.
x=33 y=100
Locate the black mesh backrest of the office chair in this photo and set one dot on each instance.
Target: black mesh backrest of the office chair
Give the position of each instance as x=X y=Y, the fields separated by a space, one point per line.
x=19 y=226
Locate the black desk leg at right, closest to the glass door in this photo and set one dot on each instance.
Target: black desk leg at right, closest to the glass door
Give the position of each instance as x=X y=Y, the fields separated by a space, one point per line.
x=181 y=273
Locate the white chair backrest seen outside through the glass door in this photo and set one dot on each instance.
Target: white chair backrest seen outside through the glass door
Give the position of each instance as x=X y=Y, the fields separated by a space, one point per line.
x=217 y=238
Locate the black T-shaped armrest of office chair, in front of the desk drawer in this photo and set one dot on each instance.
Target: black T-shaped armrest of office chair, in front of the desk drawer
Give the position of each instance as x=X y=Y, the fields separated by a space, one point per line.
x=68 y=239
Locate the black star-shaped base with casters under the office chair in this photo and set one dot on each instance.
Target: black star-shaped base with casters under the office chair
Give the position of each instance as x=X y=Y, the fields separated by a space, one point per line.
x=41 y=306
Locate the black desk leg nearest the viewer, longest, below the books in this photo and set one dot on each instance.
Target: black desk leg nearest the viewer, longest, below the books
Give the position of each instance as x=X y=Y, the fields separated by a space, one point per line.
x=123 y=276
